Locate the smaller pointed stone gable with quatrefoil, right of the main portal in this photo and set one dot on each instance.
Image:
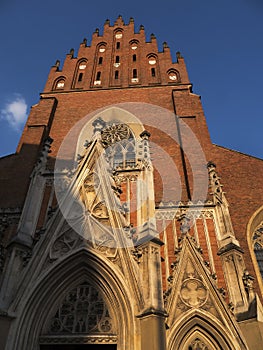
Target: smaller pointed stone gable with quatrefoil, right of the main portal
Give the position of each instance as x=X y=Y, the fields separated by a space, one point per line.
x=193 y=294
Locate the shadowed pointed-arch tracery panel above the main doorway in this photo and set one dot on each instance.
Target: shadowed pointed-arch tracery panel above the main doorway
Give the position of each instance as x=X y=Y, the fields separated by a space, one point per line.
x=83 y=310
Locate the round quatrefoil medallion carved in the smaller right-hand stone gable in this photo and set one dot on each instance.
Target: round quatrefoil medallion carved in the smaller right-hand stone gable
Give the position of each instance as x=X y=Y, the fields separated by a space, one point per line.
x=193 y=293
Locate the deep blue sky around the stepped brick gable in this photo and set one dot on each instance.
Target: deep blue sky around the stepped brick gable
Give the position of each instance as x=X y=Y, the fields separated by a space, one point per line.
x=221 y=41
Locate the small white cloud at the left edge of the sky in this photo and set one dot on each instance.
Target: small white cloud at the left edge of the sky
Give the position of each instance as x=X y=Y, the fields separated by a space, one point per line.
x=15 y=112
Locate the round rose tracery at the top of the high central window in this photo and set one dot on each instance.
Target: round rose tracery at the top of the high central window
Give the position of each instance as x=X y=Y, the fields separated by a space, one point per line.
x=114 y=133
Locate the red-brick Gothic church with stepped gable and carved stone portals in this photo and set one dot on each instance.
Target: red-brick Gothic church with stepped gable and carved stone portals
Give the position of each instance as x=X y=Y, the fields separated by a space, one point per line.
x=122 y=226
